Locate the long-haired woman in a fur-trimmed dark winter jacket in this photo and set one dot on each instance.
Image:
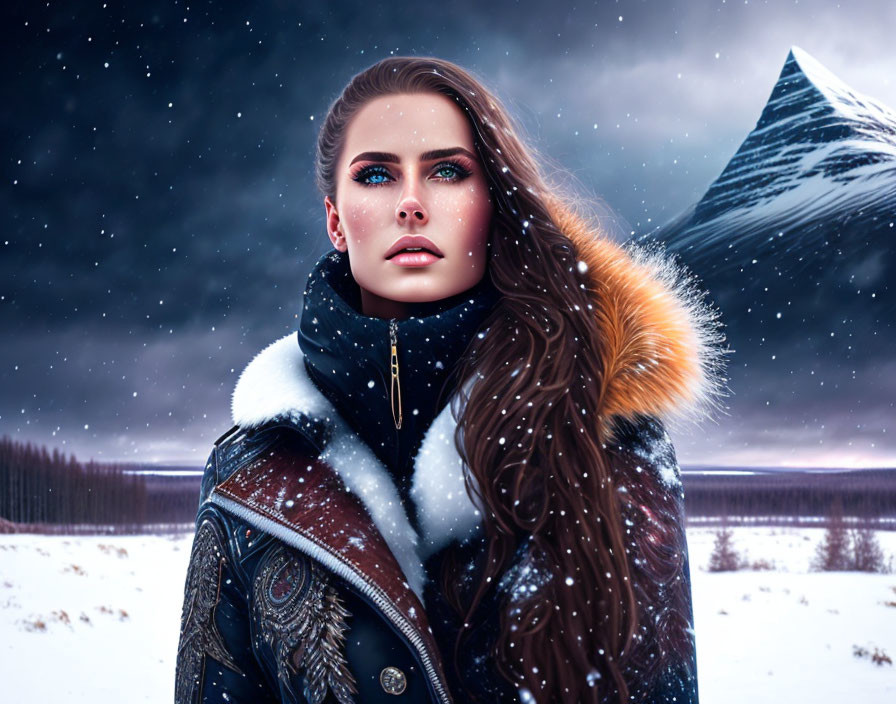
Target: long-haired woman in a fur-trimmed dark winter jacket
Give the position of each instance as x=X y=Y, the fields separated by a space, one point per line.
x=454 y=483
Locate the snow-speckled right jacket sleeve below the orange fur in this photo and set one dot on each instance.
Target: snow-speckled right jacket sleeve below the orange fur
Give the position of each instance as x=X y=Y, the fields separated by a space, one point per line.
x=653 y=501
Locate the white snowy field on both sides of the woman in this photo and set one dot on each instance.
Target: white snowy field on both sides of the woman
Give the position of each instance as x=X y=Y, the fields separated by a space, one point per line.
x=95 y=620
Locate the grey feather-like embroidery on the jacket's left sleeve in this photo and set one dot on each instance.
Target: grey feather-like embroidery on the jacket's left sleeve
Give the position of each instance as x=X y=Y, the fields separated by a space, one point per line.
x=199 y=635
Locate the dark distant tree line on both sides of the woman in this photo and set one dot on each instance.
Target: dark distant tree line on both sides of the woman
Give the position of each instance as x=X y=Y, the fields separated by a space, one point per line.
x=39 y=487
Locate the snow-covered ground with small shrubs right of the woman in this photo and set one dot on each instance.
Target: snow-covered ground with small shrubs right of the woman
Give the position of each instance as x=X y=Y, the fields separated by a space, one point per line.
x=788 y=635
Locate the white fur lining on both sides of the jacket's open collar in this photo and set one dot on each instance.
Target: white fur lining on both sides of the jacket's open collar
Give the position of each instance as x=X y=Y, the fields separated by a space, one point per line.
x=275 y=385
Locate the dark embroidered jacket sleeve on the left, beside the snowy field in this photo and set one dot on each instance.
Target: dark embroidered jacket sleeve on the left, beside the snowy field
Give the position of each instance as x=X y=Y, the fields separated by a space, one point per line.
x=215 y=658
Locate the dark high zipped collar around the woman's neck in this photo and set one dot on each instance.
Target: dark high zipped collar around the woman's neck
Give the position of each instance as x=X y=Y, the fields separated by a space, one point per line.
x=347 y=356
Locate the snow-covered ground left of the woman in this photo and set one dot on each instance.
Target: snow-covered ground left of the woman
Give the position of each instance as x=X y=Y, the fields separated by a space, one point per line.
x=90 y=619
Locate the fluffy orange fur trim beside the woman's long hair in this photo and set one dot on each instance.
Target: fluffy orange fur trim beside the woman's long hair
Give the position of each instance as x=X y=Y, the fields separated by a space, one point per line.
x=661 y=352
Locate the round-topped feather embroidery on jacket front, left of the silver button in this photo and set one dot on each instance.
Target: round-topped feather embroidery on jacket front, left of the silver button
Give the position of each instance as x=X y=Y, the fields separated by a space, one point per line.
x=303 y=620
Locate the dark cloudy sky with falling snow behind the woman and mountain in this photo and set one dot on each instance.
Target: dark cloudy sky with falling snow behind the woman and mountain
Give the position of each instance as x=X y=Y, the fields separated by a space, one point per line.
x=159 y=216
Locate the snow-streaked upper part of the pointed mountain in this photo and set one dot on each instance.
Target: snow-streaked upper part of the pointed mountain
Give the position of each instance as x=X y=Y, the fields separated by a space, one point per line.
x=821 y=160
